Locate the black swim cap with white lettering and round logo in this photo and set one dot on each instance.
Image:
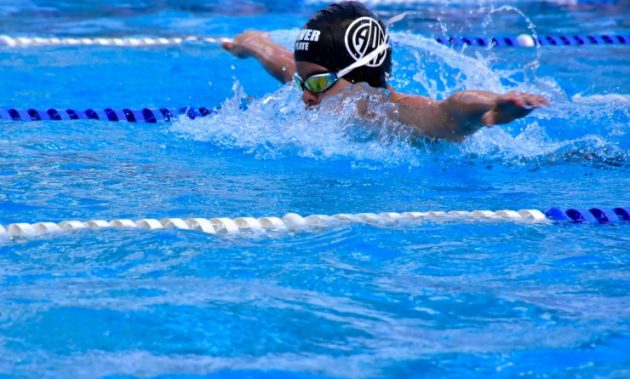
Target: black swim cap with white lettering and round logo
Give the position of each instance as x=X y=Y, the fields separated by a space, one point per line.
x=341 y=34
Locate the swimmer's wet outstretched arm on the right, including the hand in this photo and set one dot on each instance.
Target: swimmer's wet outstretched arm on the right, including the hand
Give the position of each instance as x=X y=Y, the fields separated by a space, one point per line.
x=463 y=113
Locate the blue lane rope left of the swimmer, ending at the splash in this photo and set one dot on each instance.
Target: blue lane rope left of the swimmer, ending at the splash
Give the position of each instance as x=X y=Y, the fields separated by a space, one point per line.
x=144 y=115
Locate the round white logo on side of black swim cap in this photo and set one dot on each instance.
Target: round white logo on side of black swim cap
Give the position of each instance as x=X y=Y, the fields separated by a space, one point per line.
x=363 y=36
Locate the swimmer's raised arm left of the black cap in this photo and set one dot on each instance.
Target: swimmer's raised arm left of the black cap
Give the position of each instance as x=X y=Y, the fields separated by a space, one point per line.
x=276 y=60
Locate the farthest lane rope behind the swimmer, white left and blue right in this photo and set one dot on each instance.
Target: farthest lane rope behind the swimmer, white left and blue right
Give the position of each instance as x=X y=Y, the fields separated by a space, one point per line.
x=522 y=40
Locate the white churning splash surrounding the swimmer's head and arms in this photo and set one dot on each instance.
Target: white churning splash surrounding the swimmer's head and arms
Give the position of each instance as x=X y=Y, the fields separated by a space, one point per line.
x=278 y=125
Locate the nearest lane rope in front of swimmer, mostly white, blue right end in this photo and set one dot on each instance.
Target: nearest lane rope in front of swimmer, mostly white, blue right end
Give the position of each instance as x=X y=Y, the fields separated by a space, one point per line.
x=295 y=222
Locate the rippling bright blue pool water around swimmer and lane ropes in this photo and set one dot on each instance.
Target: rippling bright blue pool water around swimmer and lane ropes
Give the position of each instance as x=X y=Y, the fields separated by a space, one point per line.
x=427 y=300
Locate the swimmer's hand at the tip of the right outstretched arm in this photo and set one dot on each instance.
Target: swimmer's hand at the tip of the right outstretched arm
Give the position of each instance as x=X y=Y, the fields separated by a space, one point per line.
x=511 y=106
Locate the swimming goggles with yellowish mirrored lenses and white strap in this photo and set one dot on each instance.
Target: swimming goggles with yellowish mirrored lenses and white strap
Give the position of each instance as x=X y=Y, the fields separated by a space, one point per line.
x=319 y=83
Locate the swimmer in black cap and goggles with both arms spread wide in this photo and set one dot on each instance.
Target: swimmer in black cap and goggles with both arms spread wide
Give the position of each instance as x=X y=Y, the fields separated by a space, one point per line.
x=344 y=48
